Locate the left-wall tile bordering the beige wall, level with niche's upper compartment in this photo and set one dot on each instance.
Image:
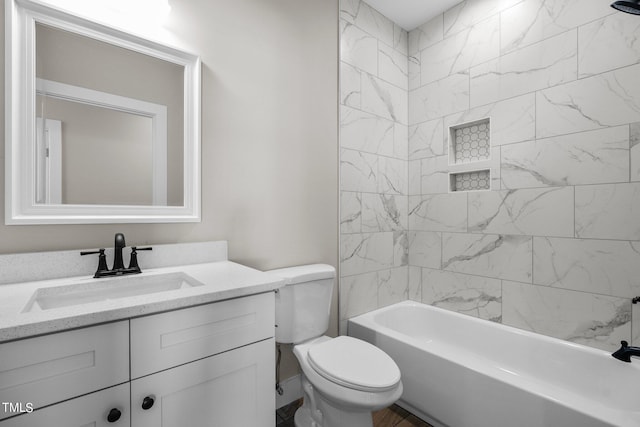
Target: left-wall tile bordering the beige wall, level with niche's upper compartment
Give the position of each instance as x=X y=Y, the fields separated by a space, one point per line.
x=366 y=132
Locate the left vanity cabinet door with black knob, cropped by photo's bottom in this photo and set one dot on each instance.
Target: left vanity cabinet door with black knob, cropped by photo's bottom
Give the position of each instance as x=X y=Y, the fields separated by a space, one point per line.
x=89 y=410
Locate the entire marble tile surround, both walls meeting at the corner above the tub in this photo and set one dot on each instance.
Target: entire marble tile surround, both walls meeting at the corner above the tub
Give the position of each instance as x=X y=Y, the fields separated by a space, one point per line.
x=554 y=246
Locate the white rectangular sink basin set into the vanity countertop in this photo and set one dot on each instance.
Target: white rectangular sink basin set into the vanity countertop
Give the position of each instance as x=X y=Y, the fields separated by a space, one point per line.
x=107 y=289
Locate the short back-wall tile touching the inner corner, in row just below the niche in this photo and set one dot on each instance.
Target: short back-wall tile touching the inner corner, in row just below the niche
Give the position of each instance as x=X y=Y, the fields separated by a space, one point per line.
x=440 y=212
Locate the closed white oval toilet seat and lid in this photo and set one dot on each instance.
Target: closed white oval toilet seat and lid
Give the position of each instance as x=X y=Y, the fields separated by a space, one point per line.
x=354 y=364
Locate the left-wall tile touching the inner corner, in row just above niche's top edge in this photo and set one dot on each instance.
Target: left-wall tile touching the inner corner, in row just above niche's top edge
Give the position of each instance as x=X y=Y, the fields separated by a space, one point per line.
x=384 y=99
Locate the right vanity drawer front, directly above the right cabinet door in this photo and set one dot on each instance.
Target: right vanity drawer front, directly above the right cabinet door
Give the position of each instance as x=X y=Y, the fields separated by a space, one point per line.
x=169 y=339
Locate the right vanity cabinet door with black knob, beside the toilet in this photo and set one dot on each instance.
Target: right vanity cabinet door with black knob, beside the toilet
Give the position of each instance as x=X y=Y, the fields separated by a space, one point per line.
x=232 y=389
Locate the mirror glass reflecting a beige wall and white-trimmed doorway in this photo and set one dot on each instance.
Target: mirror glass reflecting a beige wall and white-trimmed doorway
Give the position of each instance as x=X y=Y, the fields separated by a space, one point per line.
x=110 y=124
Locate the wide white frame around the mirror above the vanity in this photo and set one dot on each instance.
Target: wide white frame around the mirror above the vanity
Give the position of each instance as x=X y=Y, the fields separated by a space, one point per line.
x=20 y=122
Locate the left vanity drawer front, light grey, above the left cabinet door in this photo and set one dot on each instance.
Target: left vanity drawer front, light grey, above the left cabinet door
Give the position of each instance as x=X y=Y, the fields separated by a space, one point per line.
x=56 y=367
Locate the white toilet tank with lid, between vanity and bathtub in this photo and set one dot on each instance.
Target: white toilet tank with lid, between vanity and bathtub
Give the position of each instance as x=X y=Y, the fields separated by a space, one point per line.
x=304 y=302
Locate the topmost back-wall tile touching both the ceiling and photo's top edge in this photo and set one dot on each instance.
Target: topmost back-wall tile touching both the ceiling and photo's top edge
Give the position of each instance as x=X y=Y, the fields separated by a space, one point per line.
x=468 y=12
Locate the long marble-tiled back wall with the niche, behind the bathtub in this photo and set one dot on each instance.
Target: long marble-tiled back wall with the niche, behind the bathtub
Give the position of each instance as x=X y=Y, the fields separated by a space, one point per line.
x=554 y=247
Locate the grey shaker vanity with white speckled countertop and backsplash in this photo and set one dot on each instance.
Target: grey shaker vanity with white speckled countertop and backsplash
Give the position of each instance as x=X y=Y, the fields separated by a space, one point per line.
x=192 y=345
